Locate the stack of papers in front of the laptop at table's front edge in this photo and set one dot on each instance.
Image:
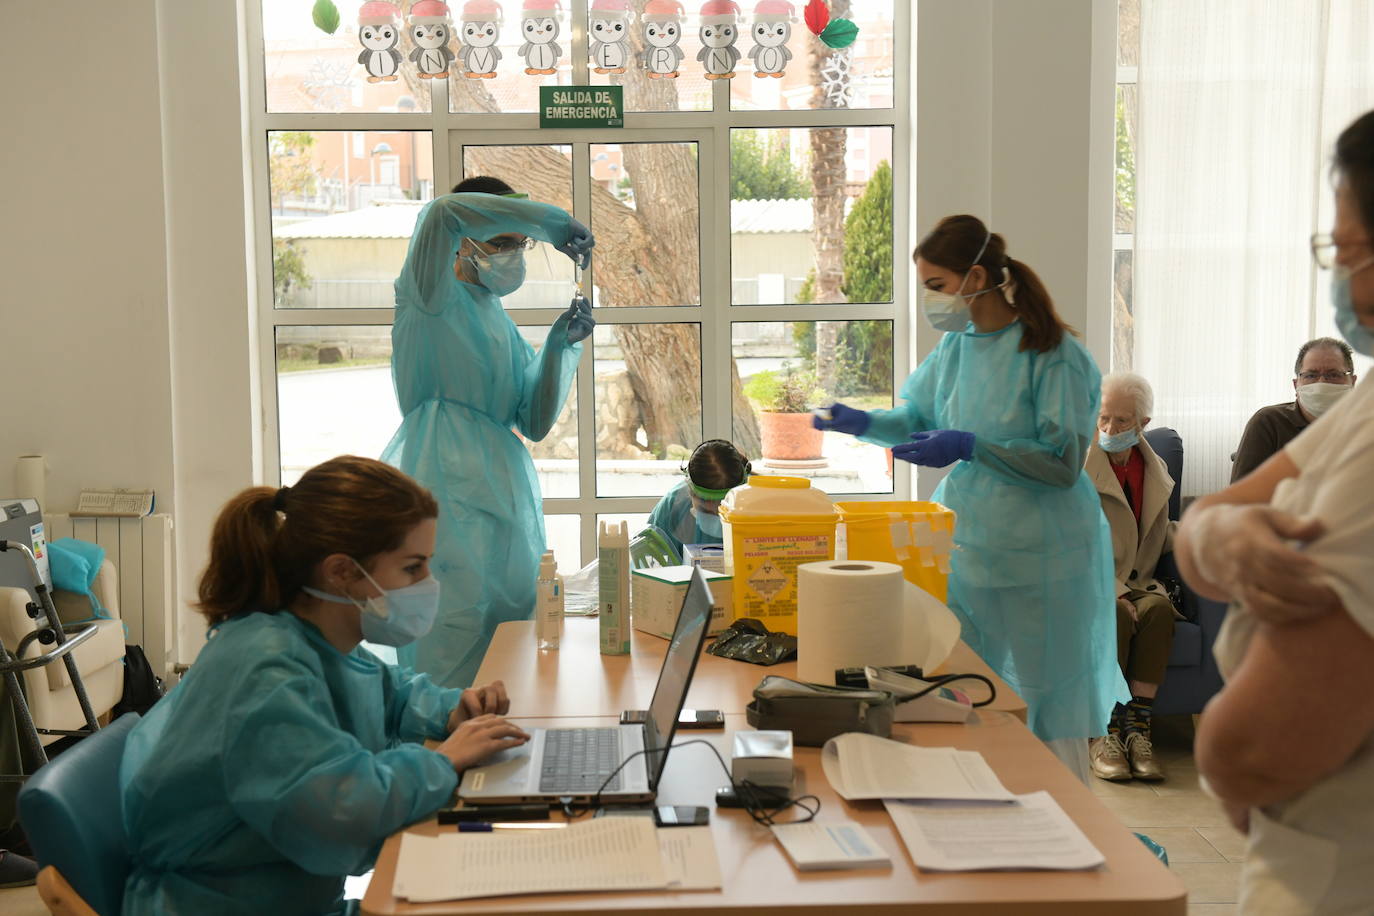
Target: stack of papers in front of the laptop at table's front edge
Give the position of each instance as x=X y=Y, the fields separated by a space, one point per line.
x=608 y=854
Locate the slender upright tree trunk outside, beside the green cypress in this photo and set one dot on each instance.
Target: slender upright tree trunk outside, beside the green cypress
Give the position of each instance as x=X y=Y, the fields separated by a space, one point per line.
x=828 y=229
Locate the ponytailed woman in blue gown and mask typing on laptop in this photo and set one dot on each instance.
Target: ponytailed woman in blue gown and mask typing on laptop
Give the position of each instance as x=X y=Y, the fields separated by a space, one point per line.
x=289 y=753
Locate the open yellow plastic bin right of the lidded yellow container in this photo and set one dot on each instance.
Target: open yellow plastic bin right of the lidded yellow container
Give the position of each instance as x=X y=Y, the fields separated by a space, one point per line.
x=917 y=536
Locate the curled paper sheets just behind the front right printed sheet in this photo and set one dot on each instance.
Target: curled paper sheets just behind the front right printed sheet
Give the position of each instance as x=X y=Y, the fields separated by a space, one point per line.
x=862 y=766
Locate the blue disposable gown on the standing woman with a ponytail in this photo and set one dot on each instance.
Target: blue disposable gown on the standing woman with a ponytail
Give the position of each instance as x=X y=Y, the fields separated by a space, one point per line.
x=1033 y=577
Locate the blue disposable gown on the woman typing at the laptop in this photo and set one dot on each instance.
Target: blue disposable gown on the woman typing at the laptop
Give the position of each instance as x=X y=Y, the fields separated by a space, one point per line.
x=275 y=768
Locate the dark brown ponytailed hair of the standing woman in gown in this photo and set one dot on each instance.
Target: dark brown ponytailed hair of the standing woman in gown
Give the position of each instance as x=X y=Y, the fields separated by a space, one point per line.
x=962 y=242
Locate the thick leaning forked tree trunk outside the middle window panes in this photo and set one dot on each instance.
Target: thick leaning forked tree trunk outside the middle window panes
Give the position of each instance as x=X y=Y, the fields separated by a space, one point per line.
x=655 y=247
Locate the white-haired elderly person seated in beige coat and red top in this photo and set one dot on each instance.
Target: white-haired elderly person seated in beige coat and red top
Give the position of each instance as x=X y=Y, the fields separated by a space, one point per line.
x=1136 y=491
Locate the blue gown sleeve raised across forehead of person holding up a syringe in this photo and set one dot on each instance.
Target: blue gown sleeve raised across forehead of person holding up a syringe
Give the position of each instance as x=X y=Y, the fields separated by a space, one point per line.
x=428 y=279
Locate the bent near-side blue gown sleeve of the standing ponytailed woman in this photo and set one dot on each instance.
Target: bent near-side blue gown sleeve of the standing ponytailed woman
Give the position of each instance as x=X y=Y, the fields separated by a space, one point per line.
x=1067 y=399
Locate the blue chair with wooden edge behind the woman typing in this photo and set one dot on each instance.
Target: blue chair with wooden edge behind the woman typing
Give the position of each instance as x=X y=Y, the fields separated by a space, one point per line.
x=71 y=811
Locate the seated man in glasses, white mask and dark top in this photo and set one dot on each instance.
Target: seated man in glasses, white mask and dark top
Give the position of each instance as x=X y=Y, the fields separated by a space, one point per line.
x=1322 y=376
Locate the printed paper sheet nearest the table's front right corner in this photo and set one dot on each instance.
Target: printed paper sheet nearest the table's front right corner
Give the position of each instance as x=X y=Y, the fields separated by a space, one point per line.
x=1033 y=834
